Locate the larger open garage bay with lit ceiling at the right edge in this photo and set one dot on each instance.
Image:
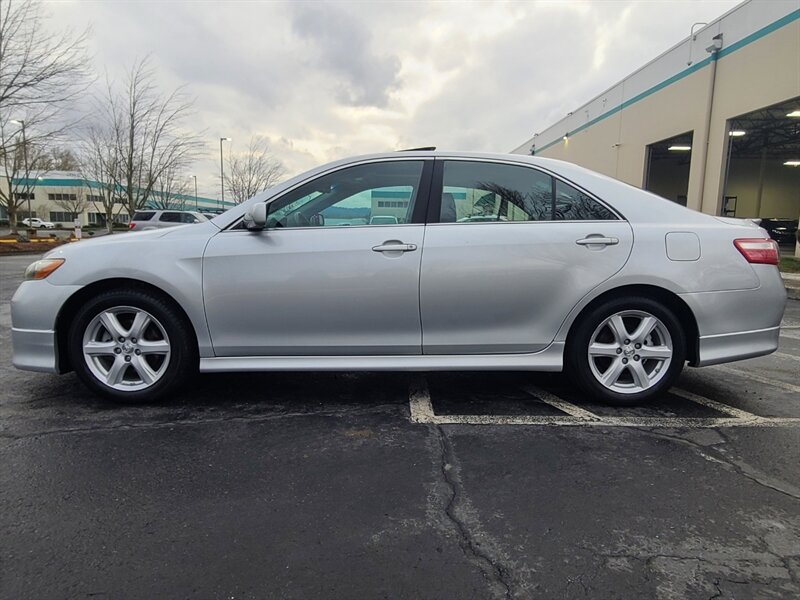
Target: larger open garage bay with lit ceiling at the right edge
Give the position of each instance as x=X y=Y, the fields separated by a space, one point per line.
x=763 y=175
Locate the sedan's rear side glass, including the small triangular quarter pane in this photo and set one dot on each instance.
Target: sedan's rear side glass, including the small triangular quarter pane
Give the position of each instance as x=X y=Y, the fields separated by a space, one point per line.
x=476 y=192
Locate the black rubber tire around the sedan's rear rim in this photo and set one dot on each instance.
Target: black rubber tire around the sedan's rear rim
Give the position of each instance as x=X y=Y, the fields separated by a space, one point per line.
x=578 y=360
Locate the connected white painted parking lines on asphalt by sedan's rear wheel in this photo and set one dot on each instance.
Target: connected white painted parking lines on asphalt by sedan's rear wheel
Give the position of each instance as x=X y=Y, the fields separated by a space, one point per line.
x=421 y=411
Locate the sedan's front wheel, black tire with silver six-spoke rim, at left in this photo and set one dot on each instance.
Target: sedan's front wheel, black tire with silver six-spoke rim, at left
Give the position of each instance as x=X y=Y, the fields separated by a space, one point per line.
x=130 y=346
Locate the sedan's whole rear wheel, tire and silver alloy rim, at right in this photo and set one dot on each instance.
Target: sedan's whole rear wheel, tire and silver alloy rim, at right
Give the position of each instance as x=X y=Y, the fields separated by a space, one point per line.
x=627 y=351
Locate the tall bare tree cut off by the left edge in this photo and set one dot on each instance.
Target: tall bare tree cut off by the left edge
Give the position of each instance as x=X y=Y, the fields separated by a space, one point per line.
x=40 y=75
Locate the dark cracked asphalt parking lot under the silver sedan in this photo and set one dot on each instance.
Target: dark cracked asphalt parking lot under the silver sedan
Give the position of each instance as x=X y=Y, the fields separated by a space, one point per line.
x=447 y=485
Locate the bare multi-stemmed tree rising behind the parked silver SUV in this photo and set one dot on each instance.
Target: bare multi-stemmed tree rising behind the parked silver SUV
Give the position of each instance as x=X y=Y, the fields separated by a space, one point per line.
x=148 y=134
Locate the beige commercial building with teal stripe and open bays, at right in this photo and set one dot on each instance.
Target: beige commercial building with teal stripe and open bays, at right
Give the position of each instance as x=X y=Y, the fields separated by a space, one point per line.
x=713 y=123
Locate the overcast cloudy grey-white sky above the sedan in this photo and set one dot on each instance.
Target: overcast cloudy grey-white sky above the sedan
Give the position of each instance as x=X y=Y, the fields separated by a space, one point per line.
x=327 y=80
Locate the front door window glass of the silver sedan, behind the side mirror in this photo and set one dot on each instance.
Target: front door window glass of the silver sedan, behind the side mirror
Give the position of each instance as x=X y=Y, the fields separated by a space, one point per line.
x=373 y=194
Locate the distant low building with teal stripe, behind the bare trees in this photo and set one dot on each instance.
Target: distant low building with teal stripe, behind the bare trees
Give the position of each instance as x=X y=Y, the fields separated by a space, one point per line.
x=55 y=195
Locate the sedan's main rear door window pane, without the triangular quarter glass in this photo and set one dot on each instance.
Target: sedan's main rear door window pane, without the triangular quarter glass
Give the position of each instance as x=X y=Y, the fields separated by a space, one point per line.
x=481 y=192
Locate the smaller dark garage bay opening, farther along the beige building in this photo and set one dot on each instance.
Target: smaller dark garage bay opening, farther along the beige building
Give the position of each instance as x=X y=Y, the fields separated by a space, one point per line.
x=667 y=172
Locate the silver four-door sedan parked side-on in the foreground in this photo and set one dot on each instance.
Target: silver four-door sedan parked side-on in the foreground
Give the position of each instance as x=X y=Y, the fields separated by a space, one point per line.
x=412 y=261
